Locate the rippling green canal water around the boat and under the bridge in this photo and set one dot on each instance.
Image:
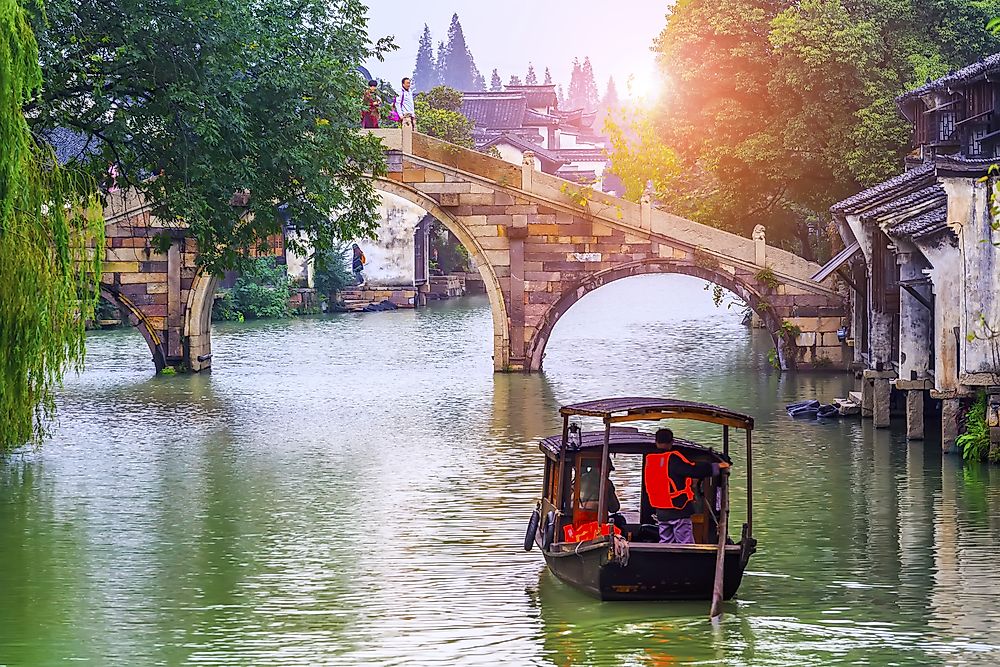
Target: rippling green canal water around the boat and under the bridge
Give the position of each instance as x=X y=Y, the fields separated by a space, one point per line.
x=354 y=489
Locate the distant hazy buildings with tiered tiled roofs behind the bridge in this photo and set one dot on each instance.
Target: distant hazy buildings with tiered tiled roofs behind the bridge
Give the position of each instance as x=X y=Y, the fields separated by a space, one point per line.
x=527 y=118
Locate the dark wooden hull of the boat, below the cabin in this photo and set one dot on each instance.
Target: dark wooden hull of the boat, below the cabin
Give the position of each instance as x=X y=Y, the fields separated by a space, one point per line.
x=653 y=572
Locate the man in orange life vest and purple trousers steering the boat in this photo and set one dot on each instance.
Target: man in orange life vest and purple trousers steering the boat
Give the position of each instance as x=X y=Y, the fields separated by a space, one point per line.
x=669 y=481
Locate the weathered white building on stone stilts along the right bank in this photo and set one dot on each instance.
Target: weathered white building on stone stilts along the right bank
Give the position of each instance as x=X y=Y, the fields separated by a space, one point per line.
x=922 y=259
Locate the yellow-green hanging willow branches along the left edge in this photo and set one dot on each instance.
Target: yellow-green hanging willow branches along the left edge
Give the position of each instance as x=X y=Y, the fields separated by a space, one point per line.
x=50 y=228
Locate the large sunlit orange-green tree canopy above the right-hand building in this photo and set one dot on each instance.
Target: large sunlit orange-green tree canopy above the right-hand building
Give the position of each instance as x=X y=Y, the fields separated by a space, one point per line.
x=777 y=109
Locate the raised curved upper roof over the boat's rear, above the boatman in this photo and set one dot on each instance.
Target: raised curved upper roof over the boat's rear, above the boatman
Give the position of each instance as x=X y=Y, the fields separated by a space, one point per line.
x=614 y=410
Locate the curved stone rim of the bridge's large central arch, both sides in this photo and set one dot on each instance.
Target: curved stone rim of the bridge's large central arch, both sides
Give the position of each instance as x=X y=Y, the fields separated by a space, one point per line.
x=198 y=314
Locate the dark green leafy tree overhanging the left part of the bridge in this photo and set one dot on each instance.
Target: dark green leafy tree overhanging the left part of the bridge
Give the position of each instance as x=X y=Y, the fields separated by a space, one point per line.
x=258 y=98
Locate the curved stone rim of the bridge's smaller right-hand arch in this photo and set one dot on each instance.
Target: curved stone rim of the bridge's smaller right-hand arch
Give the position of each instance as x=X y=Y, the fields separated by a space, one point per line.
x=536 y=346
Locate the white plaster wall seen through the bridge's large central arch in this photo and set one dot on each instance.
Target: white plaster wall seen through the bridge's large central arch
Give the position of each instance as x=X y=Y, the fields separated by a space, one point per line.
x=390 y=257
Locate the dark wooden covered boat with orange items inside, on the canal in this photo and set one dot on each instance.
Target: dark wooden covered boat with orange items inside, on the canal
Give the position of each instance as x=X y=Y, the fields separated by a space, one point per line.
x=635 y=565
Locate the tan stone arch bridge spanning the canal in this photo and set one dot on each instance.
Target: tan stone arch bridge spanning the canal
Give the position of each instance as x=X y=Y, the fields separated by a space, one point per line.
x=540 y=243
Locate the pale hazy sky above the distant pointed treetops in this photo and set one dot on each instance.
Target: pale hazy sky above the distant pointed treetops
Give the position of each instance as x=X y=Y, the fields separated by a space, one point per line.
x=506 y=34
